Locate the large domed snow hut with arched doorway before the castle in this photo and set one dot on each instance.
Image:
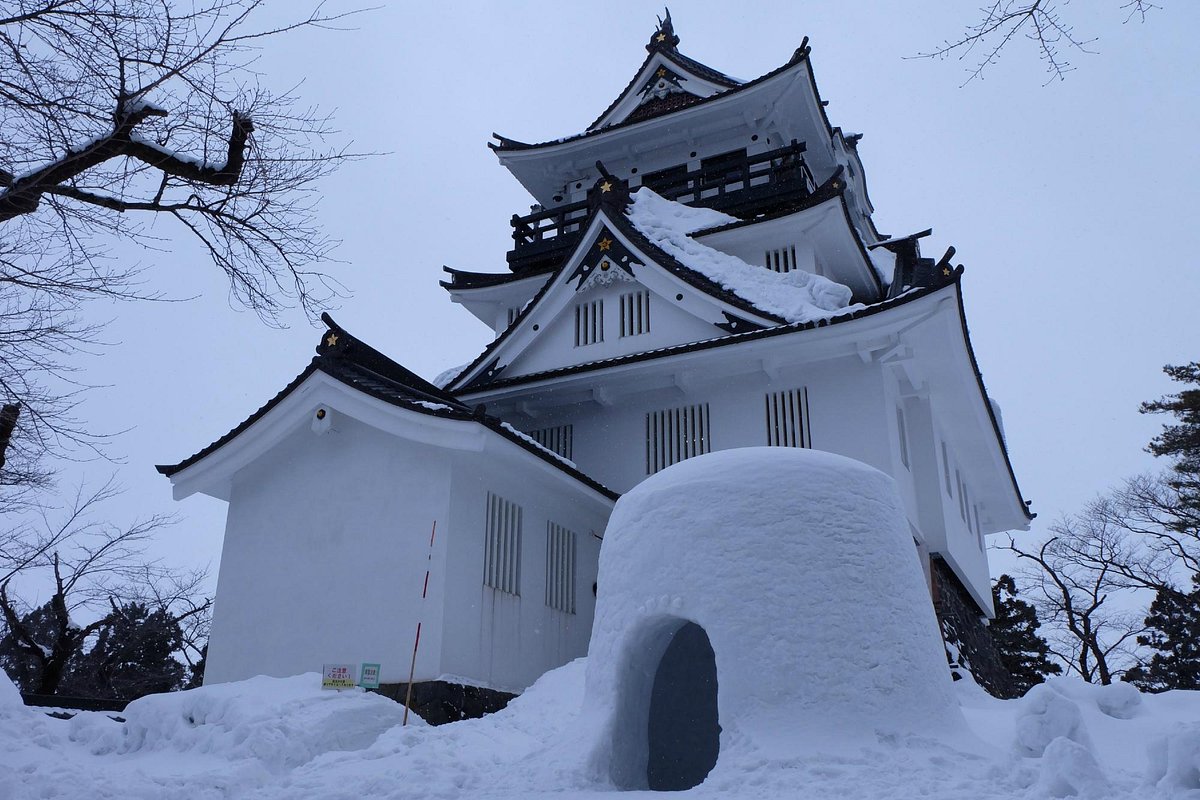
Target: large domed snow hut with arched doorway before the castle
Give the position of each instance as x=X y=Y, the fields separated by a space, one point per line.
x=813 y=601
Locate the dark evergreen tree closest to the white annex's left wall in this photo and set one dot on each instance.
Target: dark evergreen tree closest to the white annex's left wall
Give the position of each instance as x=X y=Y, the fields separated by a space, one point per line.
x=133 y=657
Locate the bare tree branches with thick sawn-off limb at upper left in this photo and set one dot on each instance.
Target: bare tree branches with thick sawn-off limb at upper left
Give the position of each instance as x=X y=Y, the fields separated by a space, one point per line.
x=119 y=113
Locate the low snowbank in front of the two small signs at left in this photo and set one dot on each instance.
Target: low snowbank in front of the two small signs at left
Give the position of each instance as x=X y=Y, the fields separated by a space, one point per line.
x=280 y=723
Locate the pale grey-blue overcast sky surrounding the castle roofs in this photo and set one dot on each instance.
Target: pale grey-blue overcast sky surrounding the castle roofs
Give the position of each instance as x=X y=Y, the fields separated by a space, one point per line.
x=1072 y=207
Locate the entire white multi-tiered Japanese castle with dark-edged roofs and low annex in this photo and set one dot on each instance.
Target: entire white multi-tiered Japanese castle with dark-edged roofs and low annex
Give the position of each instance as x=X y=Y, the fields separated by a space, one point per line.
x=700 y=272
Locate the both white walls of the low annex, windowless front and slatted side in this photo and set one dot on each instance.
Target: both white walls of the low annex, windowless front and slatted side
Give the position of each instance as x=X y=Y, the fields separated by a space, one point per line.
x=328 y=543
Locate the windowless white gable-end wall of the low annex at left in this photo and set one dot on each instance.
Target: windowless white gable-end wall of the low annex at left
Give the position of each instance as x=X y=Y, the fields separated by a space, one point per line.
x=325 y=557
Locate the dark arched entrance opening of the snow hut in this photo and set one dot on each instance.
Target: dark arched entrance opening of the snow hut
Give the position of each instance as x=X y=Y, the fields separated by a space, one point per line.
x=668 y=738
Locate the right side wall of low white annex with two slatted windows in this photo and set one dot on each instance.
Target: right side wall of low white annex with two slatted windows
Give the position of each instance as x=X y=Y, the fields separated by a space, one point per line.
x=500 y=640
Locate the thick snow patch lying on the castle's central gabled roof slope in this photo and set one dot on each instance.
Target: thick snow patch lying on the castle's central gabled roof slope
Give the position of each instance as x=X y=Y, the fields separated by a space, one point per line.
x=797 y=297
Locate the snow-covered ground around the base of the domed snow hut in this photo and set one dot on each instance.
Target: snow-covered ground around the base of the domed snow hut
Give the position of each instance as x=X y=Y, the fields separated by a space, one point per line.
x=285 y=738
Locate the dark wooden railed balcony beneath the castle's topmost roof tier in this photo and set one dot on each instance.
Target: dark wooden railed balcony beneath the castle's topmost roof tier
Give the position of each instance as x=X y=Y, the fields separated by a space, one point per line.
x=740 y=185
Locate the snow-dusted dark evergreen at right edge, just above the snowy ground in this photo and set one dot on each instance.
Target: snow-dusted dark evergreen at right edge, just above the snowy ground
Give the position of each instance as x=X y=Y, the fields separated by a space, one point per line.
x=1174 y=631
